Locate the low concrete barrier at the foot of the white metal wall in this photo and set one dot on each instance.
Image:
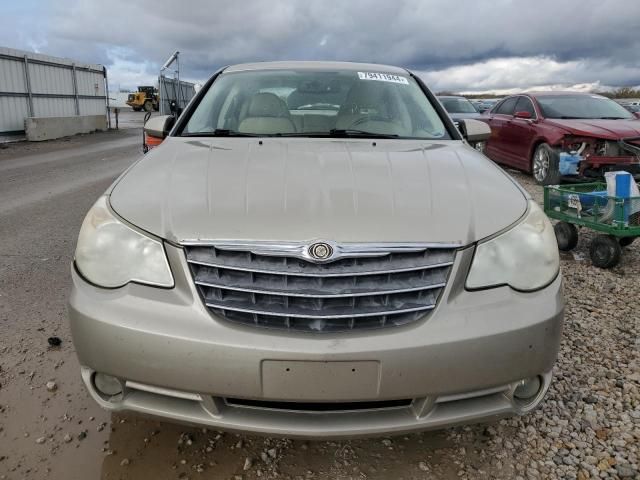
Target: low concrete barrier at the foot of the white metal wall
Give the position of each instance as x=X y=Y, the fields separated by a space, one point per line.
x=38 y=129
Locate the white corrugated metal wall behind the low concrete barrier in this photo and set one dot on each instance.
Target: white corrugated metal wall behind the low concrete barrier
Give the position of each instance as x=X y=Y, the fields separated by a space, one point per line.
x=52 y=87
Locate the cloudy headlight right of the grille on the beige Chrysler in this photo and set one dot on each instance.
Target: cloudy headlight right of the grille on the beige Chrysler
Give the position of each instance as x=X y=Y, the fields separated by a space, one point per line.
x=525 y=257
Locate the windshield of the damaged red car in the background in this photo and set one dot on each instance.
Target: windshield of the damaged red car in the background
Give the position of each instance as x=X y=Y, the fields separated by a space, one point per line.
x=581 y=106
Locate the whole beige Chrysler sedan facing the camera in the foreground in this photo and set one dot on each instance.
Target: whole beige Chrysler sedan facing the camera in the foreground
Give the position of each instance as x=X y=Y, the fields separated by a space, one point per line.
x=314 y=250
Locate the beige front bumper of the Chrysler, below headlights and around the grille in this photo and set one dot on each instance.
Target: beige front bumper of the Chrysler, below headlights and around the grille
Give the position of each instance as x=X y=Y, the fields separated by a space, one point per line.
x=458 y=365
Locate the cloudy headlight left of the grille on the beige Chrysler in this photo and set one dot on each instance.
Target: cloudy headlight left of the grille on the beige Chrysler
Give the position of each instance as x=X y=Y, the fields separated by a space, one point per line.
x=111 y=254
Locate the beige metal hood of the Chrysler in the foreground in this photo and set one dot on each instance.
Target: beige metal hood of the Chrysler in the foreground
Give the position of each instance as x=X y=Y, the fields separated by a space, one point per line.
x=303 y=189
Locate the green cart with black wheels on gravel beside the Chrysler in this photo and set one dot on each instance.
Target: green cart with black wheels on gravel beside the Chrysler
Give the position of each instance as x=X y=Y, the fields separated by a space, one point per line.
x=589 y=205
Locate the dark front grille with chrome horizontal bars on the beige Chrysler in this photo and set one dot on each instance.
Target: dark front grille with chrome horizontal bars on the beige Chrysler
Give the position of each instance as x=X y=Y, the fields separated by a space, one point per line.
x=380 y=289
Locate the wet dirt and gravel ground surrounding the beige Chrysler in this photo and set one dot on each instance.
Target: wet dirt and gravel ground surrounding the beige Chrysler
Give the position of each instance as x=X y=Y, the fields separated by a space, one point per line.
x=588 y=426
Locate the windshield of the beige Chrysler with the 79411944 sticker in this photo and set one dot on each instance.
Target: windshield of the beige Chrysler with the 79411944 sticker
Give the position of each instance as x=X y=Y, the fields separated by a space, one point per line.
x=315 y=103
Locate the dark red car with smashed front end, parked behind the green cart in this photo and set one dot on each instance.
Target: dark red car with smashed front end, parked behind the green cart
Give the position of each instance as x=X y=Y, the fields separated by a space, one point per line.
x=554 y=134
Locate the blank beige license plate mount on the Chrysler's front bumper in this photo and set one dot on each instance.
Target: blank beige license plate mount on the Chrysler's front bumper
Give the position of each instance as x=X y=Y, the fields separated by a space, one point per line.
x=320 y=381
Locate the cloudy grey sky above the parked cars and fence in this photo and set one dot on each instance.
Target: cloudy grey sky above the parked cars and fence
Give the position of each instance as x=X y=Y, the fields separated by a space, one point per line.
x=461 y=45
